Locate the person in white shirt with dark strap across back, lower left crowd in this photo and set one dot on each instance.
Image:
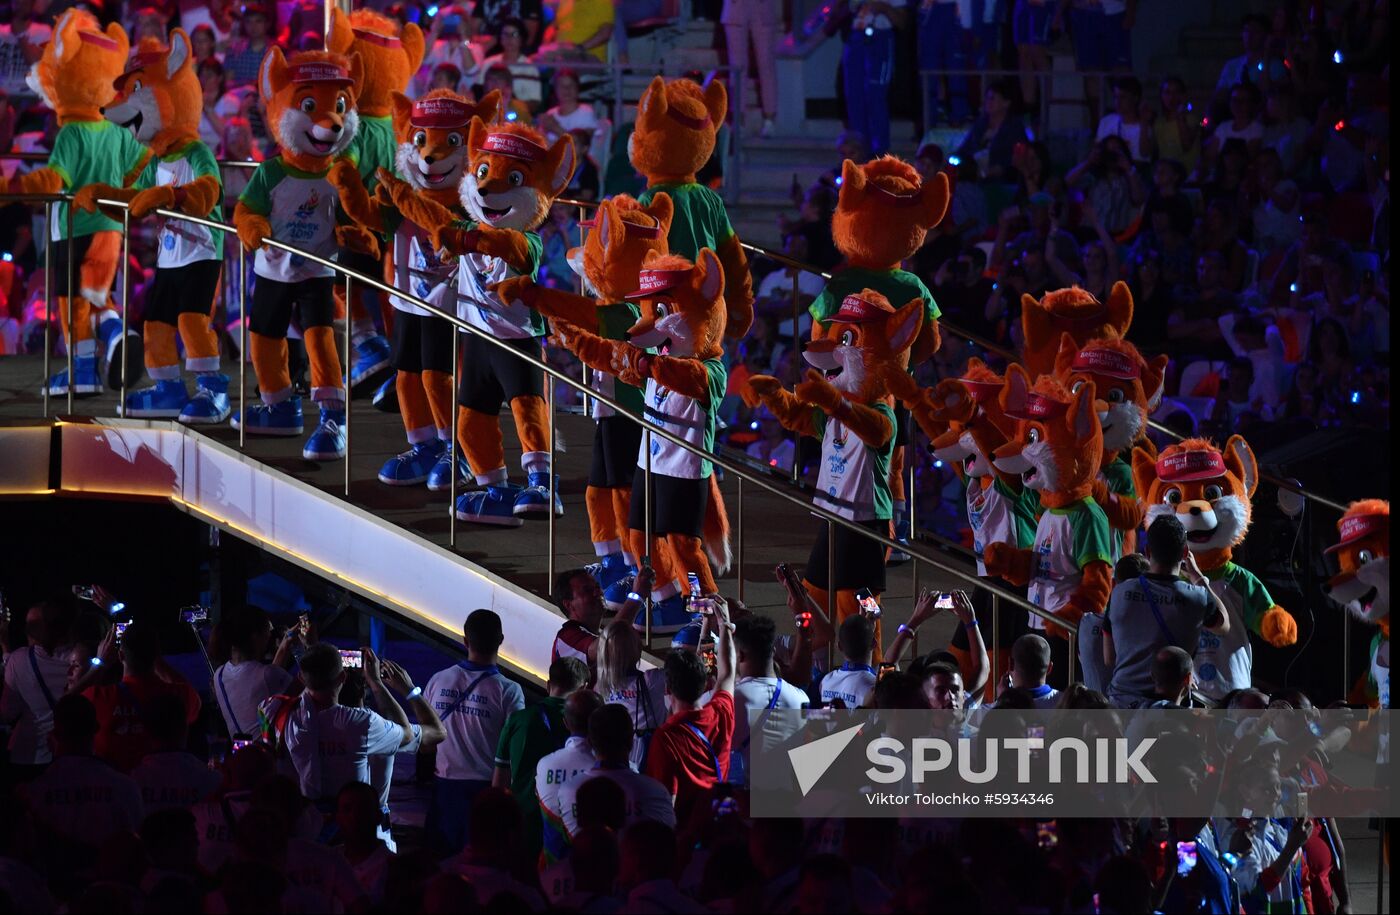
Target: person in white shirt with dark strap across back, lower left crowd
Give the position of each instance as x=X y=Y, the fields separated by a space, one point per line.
x=246 y=681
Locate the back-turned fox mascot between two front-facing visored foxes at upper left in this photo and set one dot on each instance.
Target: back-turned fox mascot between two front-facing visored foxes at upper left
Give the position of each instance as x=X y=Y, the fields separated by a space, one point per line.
x=390 y=57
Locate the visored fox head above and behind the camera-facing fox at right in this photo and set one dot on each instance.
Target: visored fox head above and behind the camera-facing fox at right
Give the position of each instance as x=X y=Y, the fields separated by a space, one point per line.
x=1128 y=387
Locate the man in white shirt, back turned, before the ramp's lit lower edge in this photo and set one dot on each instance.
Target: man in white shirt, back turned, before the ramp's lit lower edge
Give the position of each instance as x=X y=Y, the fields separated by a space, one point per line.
x=474 y=700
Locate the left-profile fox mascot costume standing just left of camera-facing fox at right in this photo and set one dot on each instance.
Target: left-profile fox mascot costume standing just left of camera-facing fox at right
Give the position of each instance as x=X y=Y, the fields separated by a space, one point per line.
x=1056 y=450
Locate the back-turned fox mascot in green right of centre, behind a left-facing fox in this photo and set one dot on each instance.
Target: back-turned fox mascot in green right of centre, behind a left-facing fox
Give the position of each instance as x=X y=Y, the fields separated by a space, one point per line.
x=884 y=212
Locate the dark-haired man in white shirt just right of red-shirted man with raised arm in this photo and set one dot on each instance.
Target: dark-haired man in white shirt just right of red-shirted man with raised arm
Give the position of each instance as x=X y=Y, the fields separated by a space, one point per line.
x=759 y=688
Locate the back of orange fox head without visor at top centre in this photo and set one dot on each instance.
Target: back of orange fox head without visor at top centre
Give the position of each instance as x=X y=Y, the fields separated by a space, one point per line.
x=677 y=125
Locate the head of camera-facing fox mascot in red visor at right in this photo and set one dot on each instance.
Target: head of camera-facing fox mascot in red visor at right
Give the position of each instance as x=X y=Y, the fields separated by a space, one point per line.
x=1207 y=490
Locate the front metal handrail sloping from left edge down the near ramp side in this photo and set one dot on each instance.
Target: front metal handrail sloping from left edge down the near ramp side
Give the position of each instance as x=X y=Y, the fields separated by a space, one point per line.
x=719 y=461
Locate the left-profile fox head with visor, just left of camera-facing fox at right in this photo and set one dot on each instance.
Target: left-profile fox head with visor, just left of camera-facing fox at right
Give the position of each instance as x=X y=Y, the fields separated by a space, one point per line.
x=1058 y=444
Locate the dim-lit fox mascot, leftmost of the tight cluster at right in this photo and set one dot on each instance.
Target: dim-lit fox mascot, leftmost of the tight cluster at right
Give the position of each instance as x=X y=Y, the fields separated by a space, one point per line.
x=967 y=426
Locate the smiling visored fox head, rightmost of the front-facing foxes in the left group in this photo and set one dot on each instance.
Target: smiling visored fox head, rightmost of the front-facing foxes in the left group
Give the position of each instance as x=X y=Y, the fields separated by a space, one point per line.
x=513 y=177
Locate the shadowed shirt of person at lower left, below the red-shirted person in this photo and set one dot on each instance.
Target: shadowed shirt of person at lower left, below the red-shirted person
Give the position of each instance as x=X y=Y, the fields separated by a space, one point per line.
x=85 y=800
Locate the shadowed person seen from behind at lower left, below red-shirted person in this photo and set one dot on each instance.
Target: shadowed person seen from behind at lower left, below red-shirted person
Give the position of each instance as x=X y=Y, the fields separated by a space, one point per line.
x=79 y=798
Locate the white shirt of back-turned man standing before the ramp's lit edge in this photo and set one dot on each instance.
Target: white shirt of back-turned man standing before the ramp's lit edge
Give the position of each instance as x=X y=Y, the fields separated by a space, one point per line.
x=475 y=723
